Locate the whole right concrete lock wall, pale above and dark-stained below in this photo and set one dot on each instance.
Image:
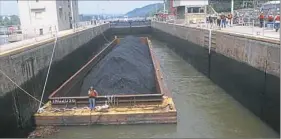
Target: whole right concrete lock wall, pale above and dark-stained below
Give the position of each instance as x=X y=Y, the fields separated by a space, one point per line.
x=246 y=67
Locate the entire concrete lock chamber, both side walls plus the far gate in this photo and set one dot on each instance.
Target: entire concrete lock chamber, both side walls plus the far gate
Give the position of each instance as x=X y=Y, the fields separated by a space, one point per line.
x=247 y=67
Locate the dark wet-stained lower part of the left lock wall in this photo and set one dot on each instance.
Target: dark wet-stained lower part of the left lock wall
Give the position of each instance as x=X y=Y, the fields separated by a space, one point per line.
x=18 y=108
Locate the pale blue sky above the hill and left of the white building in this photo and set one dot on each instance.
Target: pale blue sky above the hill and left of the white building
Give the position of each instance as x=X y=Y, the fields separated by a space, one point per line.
x=10 y=7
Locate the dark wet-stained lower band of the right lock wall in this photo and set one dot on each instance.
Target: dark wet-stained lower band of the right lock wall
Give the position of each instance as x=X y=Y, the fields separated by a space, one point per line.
x=248 y=85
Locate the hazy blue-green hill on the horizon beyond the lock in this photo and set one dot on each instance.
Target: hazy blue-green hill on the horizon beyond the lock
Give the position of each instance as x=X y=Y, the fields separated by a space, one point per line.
x=147 y=10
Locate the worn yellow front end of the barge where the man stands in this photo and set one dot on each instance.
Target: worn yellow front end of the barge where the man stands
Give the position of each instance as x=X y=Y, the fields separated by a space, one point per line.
x=137 y=114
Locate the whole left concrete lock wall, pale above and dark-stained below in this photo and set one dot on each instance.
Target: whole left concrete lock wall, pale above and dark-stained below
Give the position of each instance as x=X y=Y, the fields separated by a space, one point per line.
x=28 y=68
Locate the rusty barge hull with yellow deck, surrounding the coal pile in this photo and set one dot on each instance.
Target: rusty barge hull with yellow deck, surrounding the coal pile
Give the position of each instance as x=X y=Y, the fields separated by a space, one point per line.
x=65 y=109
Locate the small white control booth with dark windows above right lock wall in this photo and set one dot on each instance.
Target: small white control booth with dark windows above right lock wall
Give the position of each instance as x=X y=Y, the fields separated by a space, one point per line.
x=191 y=11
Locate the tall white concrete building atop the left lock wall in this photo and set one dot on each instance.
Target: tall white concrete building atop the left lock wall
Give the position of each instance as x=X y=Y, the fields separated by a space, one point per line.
x=40 y=17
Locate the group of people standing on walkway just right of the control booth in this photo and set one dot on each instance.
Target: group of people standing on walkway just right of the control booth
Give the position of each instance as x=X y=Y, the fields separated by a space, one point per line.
x=220 y=20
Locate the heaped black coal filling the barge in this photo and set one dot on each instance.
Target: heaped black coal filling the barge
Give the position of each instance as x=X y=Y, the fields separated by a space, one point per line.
x=127 y=69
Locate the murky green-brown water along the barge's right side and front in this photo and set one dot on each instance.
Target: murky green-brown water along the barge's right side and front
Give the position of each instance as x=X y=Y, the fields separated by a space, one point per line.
x=204 y=109
